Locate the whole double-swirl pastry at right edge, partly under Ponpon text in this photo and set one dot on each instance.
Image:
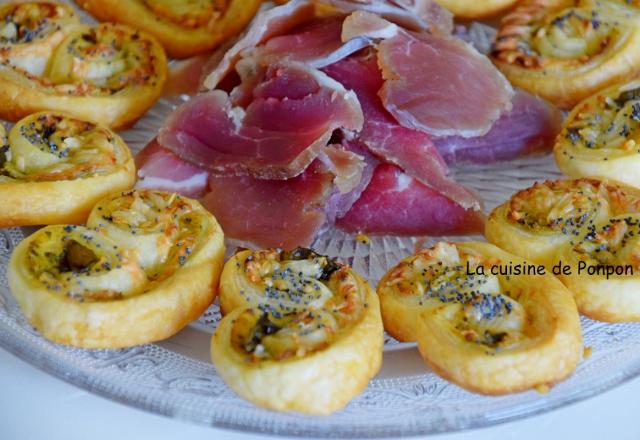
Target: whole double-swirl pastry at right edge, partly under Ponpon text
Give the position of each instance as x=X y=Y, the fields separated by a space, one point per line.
x=586 y=226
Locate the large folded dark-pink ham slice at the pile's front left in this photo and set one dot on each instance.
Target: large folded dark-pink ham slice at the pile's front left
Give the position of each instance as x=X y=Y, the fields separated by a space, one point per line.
x=292 y=115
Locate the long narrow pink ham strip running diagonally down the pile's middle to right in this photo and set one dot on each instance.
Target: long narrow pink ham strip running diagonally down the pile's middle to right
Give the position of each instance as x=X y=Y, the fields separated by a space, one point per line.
x=412 y=150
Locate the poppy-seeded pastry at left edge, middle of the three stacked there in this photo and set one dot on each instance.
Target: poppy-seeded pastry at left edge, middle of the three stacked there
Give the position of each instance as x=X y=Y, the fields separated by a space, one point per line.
x=54 y=168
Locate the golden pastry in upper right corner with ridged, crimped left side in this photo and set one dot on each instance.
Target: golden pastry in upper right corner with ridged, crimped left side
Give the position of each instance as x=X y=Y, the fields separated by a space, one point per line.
x=569 y=51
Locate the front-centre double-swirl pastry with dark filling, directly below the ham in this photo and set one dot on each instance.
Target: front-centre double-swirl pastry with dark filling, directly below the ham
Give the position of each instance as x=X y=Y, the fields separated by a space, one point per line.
x=302 y=332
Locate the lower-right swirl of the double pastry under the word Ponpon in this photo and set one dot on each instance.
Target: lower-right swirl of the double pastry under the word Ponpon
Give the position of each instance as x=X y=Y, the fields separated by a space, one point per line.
x=605 y=263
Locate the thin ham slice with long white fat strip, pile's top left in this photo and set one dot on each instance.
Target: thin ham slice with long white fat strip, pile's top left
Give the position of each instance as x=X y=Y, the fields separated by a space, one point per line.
x=267 y=24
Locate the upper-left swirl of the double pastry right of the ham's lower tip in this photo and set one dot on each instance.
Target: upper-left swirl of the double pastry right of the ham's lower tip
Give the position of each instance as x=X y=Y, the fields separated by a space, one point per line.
x=537 y=221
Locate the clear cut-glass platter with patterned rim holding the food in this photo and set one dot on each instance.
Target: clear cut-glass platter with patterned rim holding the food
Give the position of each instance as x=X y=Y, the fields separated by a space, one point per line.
x=175 y=377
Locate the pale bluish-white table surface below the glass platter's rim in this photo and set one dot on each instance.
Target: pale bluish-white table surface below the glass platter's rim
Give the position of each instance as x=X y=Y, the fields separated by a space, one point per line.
x=35 y=406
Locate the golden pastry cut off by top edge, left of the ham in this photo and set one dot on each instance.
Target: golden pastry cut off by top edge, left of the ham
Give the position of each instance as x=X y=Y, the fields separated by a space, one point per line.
x=184 y=27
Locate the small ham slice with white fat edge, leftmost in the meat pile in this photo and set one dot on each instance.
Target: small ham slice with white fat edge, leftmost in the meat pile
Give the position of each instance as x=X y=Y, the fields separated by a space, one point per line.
x=160 y=168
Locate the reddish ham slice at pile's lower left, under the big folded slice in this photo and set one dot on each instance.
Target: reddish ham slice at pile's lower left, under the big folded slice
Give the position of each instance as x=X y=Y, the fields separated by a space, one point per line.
x=271 y=213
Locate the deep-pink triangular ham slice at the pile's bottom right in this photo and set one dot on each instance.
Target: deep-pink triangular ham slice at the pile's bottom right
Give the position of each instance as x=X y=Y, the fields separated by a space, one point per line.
x=395 y=202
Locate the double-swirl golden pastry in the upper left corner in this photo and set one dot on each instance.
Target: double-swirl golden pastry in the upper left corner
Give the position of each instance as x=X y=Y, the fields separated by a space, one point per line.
x=109 y=74
